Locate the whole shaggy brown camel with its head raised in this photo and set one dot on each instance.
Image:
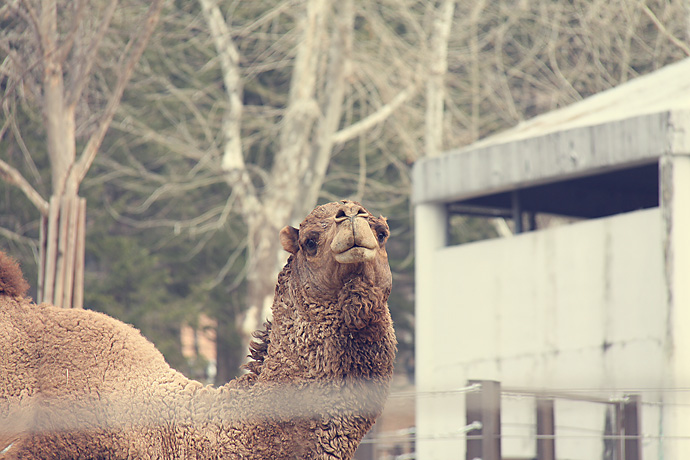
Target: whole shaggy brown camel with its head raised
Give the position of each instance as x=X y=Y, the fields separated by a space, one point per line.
x=79 y=384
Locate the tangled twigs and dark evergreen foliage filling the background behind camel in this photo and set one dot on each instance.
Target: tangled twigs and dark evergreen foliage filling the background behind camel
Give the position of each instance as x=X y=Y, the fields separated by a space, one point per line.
x=165 y=240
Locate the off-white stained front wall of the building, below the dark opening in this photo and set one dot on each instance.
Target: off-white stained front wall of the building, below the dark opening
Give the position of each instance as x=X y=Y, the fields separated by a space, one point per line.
x=577 y=308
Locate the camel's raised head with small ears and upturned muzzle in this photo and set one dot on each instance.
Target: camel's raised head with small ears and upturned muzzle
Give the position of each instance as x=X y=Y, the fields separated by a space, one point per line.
x=338 y=245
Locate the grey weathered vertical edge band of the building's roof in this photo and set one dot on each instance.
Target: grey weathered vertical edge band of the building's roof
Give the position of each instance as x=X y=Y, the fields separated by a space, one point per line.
x=486 y=169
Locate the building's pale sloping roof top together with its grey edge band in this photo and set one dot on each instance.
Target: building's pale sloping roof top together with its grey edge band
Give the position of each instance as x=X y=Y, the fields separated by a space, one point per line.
x=635 y=123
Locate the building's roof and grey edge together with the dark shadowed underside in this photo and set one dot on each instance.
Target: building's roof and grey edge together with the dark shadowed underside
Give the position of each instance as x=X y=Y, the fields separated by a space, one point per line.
x=597 y=157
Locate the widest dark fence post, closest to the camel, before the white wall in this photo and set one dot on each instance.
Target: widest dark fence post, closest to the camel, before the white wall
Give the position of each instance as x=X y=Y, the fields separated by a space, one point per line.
x=484 y=406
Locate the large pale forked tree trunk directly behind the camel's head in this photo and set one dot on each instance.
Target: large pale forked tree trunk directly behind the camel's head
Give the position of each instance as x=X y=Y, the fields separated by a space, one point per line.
x=310 y=129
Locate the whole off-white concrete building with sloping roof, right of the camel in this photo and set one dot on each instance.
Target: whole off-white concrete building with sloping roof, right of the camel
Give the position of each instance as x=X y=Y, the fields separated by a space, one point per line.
x=599 y=307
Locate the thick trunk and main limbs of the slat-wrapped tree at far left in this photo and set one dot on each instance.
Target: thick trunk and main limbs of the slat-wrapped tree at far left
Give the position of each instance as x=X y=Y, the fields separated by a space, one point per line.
x=61 y=266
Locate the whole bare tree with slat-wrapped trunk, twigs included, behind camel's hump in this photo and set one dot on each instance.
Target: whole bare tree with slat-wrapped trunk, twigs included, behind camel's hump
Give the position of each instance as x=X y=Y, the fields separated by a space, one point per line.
x=50 y=50
